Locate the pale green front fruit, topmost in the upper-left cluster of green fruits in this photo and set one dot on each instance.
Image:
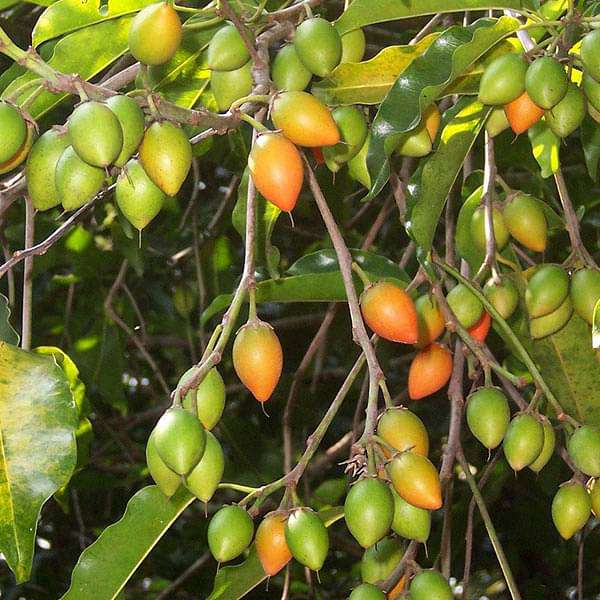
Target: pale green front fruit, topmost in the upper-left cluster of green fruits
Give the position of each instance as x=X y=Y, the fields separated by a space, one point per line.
x=95 y=133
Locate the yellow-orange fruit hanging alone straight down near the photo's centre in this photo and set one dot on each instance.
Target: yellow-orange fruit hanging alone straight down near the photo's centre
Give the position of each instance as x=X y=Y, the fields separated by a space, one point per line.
x=258 y=358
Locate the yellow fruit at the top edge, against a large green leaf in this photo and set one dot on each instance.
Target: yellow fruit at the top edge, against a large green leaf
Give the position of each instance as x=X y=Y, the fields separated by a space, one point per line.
x=155 y=34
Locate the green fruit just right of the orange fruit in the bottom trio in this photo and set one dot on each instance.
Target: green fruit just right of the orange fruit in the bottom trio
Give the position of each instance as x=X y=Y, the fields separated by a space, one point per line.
x=307 y=538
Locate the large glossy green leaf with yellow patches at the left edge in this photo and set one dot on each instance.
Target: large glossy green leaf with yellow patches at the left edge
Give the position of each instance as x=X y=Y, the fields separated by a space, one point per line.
x=38 y=419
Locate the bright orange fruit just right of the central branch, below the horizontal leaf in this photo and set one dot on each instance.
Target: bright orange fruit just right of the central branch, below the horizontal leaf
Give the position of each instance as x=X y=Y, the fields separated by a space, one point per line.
x=390 y=312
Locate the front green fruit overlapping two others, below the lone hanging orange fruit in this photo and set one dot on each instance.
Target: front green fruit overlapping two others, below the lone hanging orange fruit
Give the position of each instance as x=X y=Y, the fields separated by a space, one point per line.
x=180 y=440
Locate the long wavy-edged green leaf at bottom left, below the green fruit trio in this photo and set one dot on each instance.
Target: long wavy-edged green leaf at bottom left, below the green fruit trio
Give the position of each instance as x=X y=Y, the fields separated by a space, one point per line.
x=106 y=566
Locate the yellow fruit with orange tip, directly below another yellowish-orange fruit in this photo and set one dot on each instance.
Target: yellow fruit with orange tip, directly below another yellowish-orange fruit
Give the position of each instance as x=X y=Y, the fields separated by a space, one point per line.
x=416 y=480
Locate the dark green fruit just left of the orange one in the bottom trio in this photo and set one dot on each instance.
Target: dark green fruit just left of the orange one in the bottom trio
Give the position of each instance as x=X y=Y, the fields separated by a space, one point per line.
x=230 y=532
